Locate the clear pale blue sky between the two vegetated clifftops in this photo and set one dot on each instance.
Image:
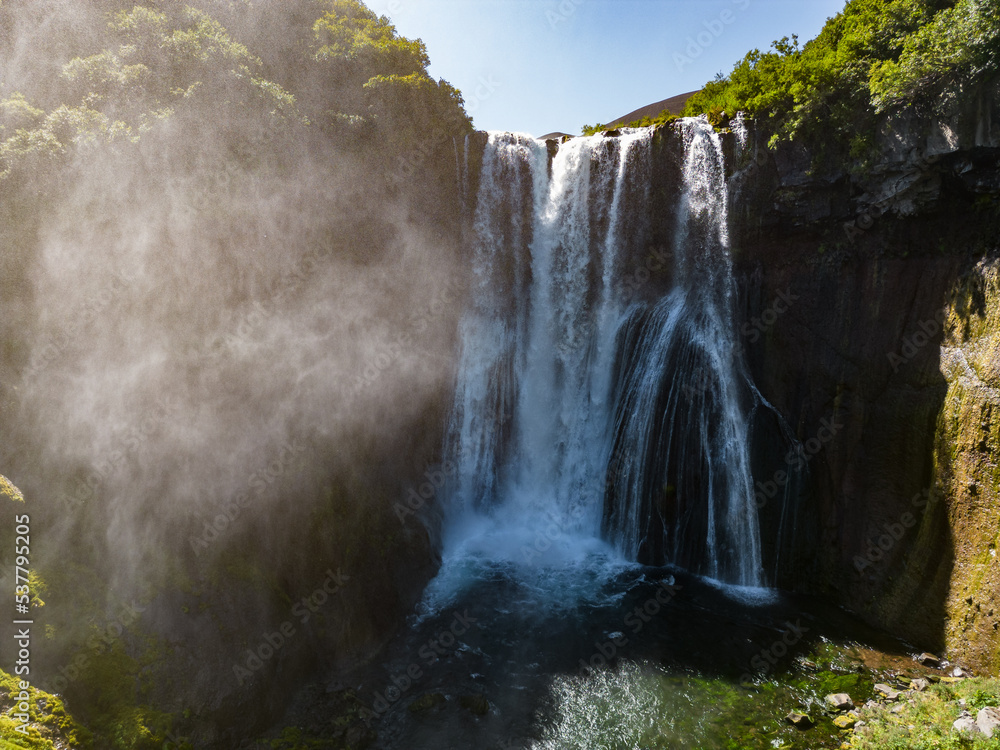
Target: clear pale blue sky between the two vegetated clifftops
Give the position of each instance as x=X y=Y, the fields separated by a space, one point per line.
x=539 y=66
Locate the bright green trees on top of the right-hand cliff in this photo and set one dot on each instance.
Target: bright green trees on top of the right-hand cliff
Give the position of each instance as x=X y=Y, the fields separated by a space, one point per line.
x=875 y=56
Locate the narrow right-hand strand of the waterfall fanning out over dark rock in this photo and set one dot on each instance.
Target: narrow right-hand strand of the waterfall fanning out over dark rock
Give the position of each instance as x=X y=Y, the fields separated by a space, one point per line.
x=685 y=494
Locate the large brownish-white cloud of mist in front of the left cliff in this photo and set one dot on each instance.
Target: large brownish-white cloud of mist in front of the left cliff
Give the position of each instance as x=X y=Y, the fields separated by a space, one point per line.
x=228 y=331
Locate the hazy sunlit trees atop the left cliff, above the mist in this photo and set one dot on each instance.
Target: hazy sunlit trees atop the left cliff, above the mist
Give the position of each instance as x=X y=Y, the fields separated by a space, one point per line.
x=345 y=72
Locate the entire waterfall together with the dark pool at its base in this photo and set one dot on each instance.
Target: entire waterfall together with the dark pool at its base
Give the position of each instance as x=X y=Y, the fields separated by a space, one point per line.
x=592 y=435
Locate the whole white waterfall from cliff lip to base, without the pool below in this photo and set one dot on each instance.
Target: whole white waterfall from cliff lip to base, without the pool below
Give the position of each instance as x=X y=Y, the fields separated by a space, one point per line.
x=577 y=410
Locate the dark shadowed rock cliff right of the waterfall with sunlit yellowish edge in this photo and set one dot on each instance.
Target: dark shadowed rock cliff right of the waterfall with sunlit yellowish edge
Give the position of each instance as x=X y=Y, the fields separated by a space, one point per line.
x=871 y=310
